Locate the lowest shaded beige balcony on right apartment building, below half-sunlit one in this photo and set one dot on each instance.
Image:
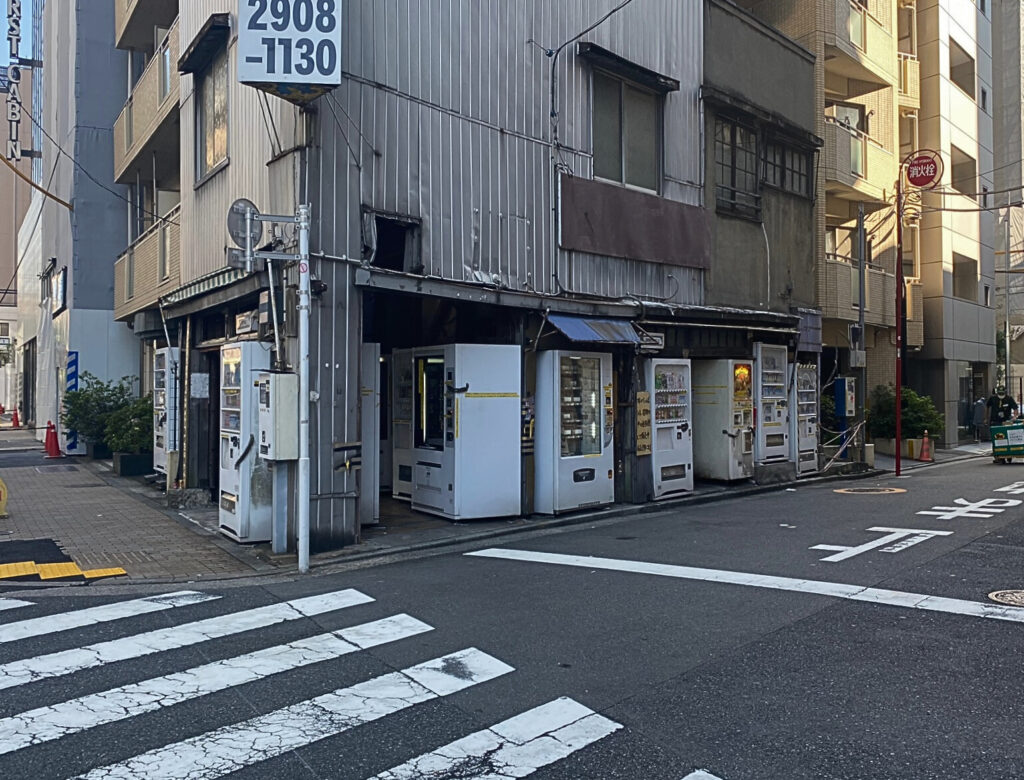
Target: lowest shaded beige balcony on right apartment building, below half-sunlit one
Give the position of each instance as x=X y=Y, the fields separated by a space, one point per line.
x=842 y=292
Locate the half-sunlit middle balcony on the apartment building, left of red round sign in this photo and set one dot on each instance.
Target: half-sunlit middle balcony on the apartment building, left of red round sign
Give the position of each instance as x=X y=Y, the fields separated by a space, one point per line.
x=857 y=167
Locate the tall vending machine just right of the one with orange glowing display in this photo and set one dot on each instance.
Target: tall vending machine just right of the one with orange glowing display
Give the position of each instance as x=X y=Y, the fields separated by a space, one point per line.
x=772 y=379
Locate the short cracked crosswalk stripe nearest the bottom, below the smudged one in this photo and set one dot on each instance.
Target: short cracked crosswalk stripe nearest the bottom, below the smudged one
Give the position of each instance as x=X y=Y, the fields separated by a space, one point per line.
x=516 y=748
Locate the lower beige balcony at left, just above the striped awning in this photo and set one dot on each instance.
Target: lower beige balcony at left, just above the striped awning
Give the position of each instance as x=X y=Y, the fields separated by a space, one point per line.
x=150 y=269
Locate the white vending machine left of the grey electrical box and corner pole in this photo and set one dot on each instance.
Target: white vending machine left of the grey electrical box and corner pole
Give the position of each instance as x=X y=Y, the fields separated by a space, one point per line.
x=246 y=485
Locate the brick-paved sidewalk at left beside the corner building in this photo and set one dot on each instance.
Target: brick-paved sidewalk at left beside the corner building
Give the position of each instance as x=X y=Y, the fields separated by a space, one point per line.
x=103 y=521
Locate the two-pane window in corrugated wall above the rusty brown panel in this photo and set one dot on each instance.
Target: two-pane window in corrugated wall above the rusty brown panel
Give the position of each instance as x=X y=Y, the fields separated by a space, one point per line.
x=627 y=138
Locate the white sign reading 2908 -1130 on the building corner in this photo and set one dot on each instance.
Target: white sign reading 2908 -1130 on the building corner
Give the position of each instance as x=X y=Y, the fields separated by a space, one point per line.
x=290 y=41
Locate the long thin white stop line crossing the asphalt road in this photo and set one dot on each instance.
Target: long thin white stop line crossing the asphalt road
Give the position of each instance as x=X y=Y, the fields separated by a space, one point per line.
x=814 y=587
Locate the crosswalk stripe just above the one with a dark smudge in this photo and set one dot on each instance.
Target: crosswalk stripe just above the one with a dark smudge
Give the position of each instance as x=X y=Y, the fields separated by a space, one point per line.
x=46 y=724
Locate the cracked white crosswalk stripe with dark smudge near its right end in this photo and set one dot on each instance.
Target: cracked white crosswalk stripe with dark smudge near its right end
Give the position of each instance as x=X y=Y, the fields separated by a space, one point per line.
x=233 y=748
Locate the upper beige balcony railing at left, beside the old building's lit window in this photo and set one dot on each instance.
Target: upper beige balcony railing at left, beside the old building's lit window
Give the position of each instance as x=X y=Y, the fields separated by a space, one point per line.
x=154 y=100
